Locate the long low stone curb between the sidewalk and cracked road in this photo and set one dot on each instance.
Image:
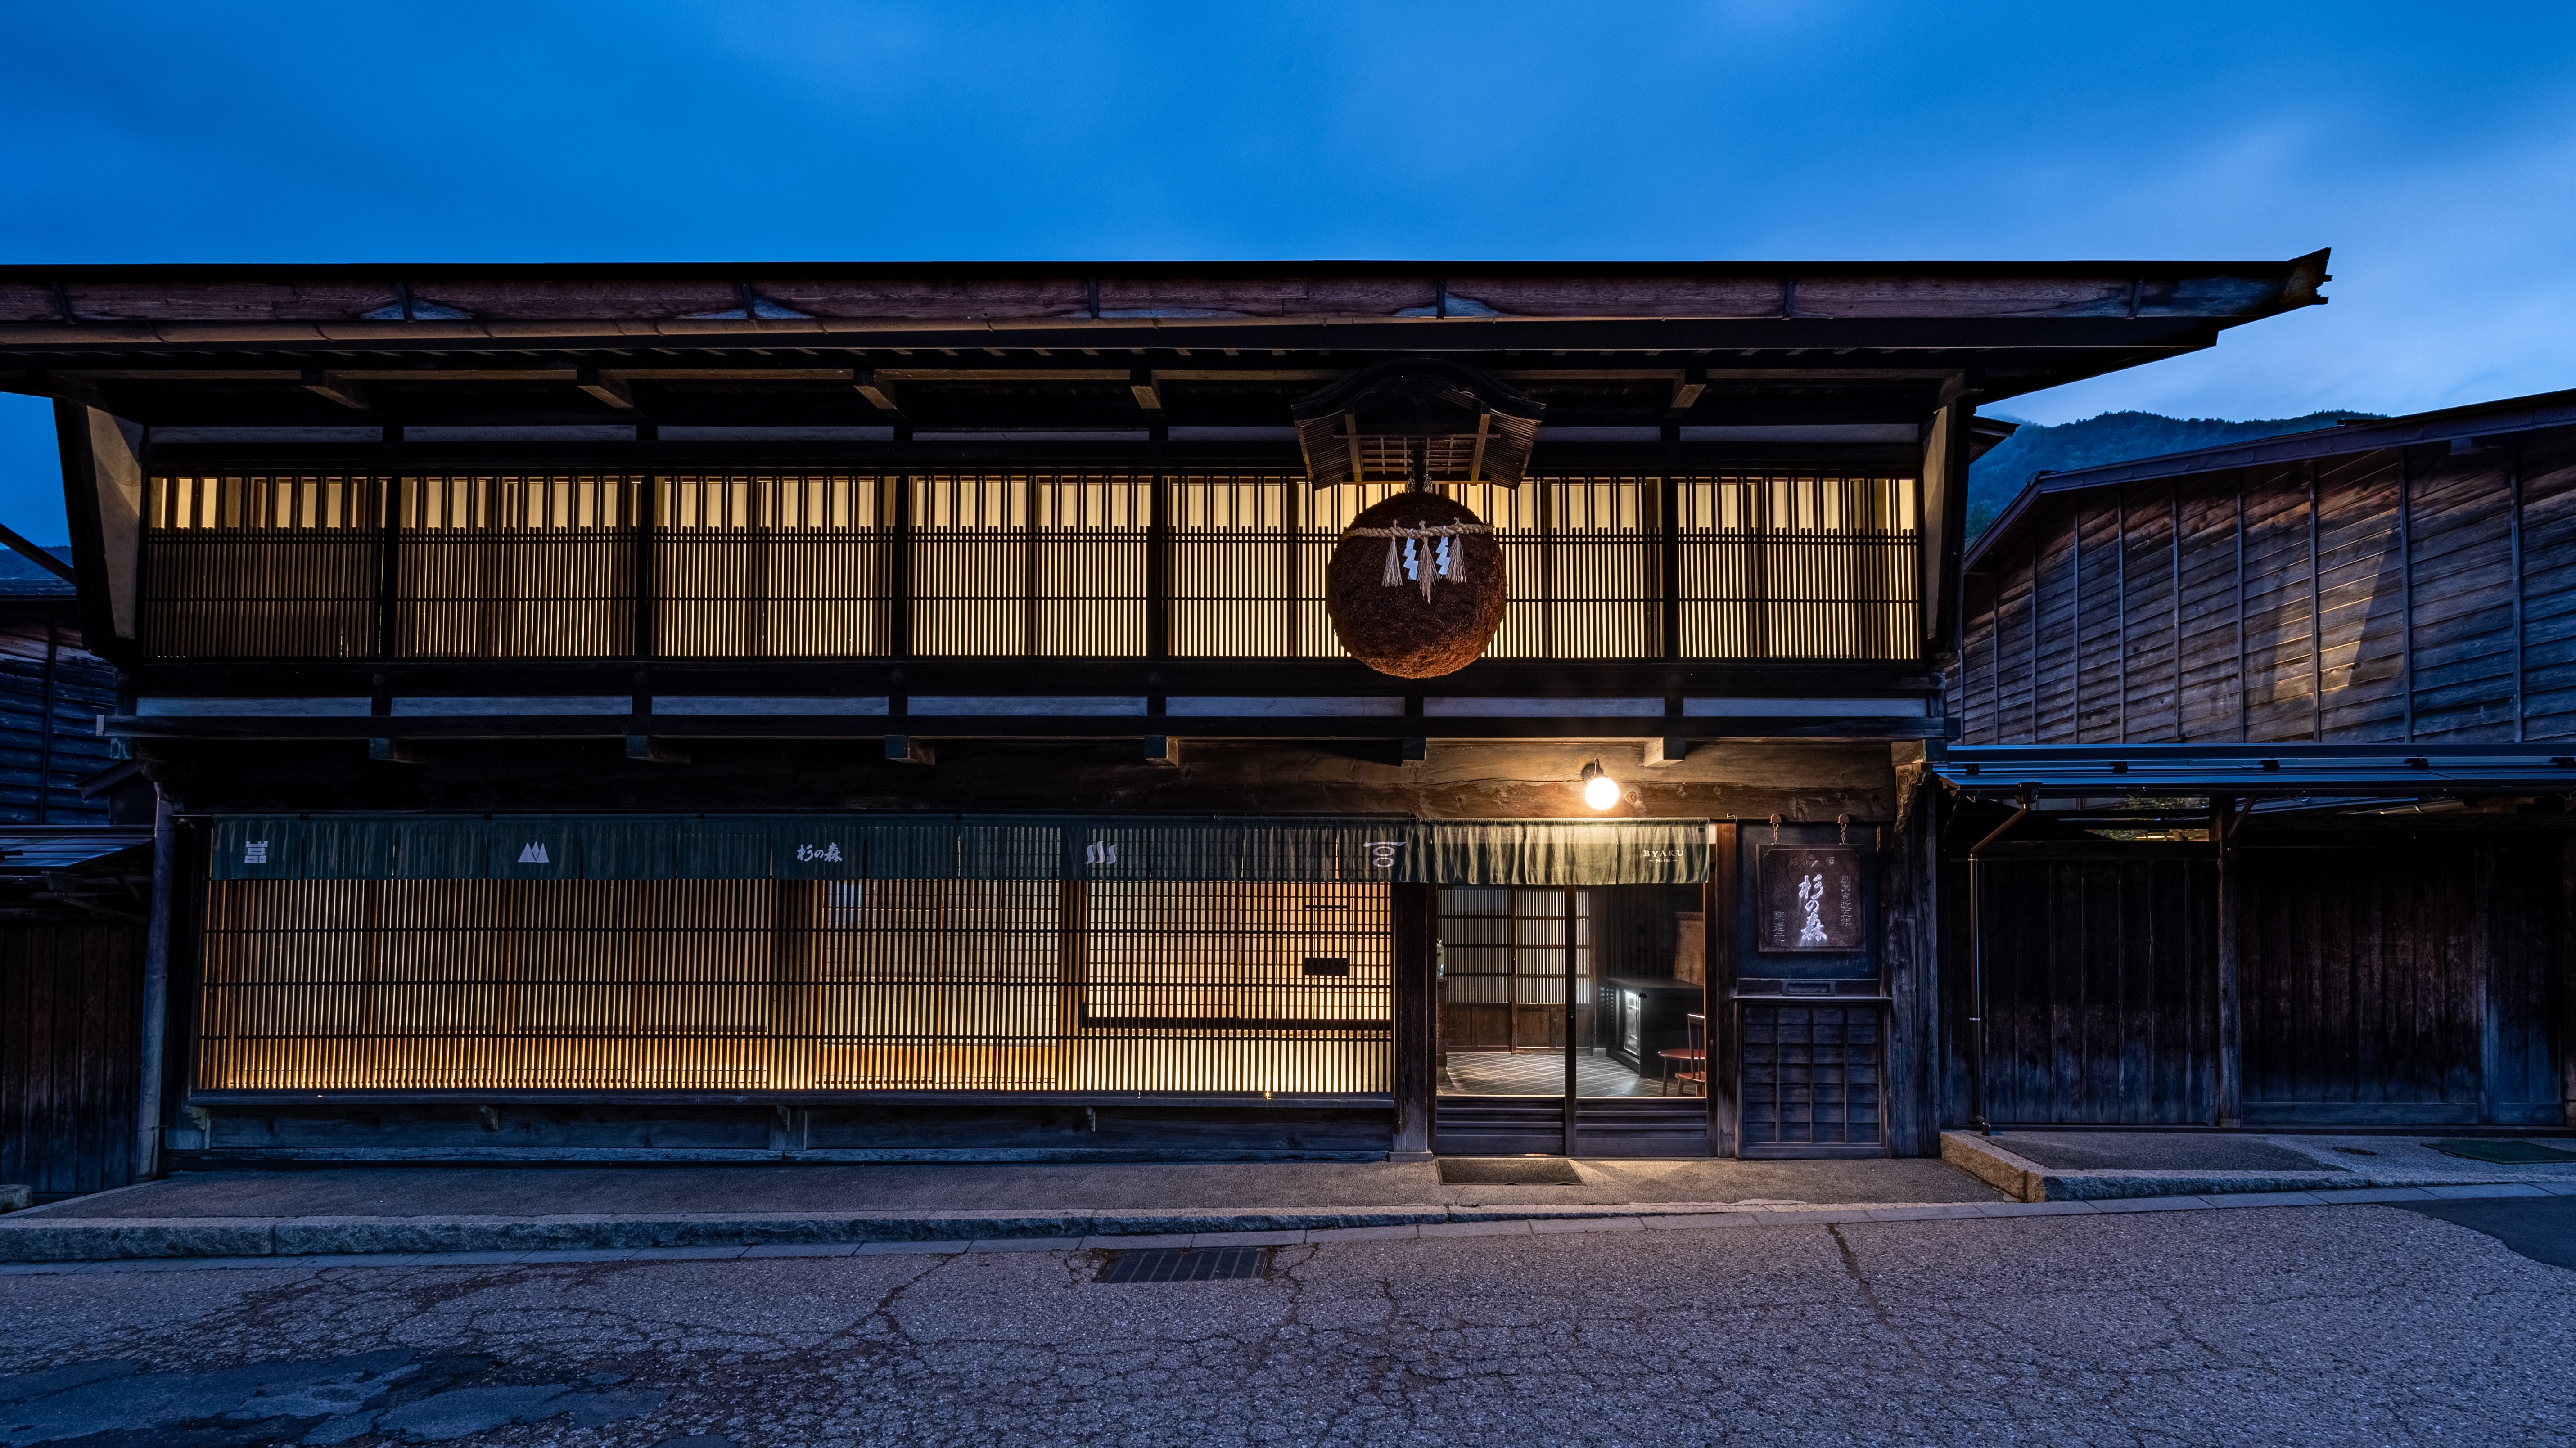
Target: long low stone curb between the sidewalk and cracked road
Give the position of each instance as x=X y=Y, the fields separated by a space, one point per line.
x=462 y=1241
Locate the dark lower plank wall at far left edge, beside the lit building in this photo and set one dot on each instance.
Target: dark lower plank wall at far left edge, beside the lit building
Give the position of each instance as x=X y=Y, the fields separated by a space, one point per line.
x=68 y=1055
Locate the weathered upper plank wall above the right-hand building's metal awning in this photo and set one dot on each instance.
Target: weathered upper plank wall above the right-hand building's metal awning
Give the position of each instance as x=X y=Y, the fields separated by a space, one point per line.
x=2376 y=596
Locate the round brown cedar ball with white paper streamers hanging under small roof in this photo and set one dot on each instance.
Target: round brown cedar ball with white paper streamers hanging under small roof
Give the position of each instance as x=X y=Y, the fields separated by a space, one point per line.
x=1397 y=630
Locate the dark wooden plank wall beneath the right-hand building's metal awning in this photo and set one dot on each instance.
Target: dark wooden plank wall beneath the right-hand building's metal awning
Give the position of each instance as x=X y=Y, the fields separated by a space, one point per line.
x=2415 y=983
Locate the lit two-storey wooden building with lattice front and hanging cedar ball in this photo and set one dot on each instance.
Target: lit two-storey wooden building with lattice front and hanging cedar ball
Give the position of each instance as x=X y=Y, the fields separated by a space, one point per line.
x=895 y=712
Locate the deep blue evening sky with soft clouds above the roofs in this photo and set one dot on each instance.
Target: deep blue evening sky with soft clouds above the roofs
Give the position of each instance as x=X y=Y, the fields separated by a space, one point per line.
x=2430 y=146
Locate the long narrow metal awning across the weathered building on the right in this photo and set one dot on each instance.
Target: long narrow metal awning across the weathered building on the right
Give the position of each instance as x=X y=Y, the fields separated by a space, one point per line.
x=2250 y=772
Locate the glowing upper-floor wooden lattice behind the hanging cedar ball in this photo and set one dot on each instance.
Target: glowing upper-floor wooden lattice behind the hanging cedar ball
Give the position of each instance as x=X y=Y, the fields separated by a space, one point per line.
x=808 y=566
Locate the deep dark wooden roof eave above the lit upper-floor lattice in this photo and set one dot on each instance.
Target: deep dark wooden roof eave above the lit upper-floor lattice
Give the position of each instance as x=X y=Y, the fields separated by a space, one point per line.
x=1209 y=344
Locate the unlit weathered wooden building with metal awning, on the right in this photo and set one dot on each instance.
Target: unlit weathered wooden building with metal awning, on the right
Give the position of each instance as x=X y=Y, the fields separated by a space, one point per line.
x=2299 y=733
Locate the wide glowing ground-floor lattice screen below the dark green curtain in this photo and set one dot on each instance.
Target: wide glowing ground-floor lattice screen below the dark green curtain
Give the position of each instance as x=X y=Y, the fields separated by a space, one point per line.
x=797 y=986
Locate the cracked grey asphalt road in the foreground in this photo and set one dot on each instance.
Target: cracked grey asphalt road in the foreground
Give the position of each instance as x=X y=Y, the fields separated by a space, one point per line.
x=2248 y=1326
